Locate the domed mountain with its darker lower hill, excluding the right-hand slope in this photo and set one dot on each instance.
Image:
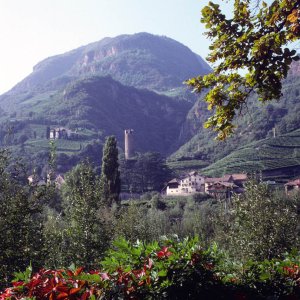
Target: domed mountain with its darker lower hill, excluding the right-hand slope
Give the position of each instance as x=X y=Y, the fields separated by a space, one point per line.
x=130 y=81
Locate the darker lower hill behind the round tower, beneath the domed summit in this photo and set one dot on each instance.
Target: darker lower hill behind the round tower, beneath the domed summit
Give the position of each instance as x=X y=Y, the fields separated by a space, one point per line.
x=94 y=107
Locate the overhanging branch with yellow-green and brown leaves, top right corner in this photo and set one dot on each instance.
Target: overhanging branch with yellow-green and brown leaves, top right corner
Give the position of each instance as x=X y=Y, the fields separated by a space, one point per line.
x=255 y=41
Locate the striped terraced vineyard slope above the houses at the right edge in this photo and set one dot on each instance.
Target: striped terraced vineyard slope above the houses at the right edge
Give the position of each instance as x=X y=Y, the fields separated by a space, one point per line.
x=268 y=154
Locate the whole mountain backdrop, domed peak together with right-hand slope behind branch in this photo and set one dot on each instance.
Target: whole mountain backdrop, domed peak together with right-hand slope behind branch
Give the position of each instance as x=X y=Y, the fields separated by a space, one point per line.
x=134 y=81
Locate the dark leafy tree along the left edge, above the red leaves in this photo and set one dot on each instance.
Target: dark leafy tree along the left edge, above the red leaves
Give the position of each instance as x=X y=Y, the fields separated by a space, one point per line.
x=20 y=222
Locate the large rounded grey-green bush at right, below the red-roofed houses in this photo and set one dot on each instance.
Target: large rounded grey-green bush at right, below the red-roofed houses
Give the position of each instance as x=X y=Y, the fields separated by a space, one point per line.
x=259 y=224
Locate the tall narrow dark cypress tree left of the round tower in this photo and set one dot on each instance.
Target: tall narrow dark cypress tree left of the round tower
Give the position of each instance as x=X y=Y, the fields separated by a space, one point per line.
x=110 y=175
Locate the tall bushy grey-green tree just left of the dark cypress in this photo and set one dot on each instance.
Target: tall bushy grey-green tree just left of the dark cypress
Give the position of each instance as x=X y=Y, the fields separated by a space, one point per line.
x=83 y=236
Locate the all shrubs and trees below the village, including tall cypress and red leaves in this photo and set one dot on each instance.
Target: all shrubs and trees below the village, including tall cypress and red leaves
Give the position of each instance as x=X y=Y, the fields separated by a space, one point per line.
x=142 y=249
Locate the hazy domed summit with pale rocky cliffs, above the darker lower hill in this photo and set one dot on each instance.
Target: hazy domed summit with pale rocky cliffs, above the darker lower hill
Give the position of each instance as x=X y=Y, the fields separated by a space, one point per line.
x=140 y=60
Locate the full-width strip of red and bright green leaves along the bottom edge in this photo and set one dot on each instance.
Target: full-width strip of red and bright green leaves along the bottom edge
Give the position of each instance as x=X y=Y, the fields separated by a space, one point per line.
x=168 y=269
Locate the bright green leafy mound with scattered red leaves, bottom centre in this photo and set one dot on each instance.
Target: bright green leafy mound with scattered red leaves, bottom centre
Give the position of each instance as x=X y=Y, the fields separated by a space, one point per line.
x=172 y=269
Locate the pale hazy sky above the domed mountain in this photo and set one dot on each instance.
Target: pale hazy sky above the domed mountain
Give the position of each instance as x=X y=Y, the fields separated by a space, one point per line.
x=31 y=30
